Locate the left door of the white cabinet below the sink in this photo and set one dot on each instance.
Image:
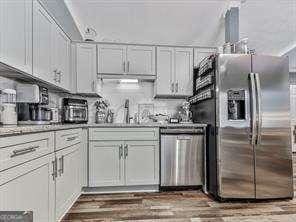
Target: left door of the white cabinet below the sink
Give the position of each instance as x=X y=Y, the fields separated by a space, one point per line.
x=106 y=166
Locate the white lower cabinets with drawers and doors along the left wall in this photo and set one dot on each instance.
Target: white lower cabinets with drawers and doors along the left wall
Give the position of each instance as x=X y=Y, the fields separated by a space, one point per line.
x=34 y=177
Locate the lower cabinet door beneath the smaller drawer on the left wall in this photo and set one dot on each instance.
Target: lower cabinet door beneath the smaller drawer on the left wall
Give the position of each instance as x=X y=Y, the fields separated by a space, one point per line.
x=67 y=181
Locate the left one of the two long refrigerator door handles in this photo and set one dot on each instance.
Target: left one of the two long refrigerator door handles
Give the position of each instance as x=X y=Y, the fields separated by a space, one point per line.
x=253 y=107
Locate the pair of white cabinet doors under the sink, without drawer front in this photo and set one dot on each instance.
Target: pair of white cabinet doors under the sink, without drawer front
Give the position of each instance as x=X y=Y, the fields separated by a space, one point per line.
x=121 y=163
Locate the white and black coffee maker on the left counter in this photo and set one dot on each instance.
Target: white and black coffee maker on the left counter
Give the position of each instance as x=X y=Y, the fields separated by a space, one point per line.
x=32 y=104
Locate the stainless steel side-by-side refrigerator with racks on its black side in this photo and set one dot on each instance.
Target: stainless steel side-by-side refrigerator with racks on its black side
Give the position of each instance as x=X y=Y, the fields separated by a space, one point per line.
x=244 y=99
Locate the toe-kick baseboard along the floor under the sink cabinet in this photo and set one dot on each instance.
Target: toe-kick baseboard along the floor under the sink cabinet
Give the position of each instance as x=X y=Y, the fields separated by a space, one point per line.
x=120 y=189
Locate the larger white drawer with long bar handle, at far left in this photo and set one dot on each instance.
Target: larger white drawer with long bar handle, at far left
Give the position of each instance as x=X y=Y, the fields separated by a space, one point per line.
x=16 y=150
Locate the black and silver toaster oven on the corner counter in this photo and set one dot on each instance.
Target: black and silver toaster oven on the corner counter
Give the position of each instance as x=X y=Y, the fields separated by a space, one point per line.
x=75 y=110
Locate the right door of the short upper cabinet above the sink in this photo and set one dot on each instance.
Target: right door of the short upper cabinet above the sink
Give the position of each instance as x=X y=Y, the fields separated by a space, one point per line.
x=141 y=60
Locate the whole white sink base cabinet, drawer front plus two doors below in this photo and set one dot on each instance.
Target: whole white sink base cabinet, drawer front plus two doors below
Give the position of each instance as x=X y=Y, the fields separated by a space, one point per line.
x=122 y=160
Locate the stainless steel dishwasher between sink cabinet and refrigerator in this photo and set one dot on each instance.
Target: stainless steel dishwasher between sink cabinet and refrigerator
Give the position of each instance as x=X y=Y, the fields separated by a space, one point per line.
x=181 y=156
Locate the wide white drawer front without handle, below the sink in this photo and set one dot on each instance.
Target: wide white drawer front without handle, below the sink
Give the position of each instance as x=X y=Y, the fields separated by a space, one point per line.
x=124 y=134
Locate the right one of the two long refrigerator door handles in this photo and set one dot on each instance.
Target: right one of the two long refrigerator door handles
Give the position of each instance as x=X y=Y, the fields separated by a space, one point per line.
x=259 y=109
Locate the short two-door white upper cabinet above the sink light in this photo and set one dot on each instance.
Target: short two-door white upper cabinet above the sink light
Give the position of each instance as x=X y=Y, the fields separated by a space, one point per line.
x=128 y=60
